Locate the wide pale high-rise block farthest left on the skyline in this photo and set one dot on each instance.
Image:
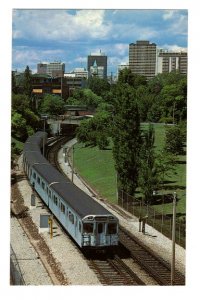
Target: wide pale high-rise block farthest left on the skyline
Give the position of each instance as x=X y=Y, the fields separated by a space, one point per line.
x=54 y=69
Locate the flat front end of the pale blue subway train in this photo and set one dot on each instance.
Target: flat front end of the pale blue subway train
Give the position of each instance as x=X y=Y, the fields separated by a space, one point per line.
x=100 y=231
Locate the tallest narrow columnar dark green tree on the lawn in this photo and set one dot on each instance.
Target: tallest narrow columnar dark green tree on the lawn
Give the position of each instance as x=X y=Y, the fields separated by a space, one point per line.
x=126 y=137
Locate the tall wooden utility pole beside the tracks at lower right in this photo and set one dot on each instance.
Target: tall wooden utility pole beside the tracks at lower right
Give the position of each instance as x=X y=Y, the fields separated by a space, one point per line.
x=173 y=240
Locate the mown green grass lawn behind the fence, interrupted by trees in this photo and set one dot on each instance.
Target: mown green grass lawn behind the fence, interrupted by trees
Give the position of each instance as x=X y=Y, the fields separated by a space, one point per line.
x=97 y=168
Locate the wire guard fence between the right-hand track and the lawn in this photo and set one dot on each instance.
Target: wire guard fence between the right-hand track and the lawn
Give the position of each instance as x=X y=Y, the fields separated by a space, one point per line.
x=159 y=220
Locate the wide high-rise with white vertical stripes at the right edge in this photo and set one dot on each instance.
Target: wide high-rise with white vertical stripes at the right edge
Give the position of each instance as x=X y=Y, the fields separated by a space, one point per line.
x=172 y=61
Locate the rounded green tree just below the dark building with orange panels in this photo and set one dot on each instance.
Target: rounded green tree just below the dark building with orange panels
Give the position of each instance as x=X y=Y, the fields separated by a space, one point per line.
x=52 y=105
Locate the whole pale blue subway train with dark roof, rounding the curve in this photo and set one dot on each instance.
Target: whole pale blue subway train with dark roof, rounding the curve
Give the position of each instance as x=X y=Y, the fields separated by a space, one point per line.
x=85 y=220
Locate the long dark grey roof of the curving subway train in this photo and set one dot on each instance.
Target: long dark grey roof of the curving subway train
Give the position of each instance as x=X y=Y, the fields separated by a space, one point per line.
x=78 y=200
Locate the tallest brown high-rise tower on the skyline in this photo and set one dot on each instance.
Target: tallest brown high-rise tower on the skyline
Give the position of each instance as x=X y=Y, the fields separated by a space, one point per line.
x=142 y=58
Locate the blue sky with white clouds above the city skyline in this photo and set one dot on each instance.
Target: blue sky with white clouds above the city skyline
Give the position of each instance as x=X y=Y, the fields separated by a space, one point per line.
x=71 y=35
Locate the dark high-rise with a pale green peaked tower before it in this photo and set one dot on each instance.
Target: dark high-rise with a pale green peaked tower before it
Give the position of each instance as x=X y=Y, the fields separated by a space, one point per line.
x=97 y=65
